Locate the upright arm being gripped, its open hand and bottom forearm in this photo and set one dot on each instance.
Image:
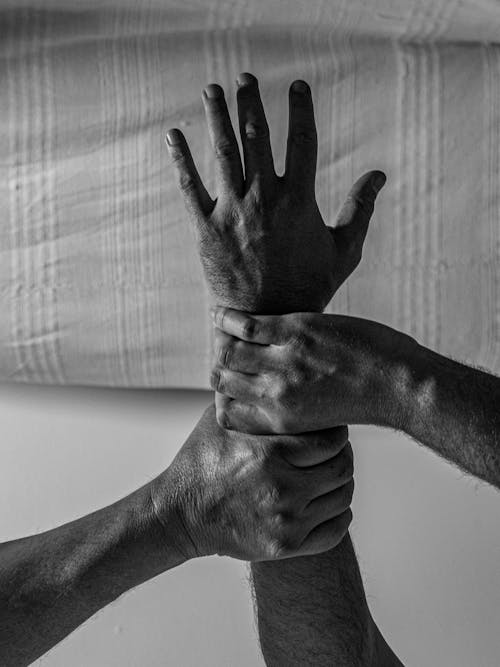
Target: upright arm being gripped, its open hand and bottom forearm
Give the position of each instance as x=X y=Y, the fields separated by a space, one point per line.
x=240 y=253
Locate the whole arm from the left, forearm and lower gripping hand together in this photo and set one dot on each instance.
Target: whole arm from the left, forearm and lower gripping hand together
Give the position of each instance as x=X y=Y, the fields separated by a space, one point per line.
x=299 y=489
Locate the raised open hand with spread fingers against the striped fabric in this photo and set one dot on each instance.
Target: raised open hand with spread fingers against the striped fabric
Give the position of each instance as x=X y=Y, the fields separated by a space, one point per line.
x=263 y=240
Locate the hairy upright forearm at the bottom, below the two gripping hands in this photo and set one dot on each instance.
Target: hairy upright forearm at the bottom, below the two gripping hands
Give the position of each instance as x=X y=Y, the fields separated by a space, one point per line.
x=313 y=611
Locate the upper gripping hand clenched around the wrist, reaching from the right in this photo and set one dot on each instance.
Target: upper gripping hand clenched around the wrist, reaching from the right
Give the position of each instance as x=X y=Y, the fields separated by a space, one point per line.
x=308 y=371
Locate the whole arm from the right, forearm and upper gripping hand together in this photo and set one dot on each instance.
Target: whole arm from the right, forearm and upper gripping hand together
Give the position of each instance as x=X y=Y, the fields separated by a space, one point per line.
x=309 y=371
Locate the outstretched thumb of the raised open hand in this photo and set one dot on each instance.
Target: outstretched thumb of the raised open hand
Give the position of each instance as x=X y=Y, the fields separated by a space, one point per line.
x=352 y=222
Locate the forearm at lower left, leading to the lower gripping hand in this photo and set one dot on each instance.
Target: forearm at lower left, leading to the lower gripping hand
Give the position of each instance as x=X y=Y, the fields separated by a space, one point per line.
x=52 y=582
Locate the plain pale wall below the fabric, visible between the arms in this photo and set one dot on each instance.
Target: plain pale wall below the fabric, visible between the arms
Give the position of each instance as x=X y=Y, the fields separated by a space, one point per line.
x=427 y=537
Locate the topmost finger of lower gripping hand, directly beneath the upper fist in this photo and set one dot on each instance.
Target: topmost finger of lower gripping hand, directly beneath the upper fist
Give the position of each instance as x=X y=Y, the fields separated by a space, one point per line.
x=308 y=450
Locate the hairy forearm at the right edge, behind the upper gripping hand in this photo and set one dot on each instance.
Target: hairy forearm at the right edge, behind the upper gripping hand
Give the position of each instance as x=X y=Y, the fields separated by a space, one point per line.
x=452 y=408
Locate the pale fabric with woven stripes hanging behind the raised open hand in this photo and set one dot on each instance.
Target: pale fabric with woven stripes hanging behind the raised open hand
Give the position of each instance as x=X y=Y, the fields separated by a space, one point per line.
x=100 y=282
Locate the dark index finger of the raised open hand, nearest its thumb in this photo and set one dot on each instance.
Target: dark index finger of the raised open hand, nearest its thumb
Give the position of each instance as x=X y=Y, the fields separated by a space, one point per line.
x=302 y=143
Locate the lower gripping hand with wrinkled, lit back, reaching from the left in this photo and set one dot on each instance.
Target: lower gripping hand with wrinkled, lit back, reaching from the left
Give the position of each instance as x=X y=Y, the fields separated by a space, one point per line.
x=259 y=498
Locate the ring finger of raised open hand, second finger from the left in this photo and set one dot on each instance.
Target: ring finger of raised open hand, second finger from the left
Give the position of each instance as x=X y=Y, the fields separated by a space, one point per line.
x=229 y=172
